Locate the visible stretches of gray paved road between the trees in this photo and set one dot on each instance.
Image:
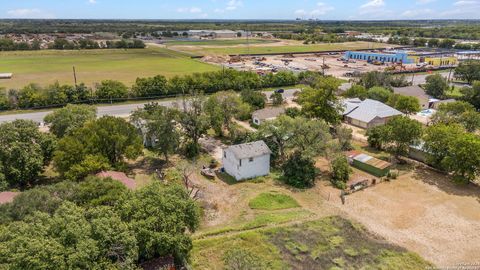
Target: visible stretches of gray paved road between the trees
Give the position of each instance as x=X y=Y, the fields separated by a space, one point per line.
x=114 y=110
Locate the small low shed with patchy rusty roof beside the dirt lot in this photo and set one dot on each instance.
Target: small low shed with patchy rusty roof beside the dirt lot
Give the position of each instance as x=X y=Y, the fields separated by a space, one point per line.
x=369 y=164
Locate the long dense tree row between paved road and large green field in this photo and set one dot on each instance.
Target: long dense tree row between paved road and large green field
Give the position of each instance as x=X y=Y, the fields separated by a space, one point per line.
x=35 y=96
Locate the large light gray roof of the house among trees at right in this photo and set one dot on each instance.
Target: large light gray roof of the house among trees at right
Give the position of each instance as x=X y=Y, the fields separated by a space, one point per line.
x=368 y=110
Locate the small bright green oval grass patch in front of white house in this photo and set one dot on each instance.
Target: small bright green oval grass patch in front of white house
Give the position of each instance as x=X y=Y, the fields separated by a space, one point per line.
x=273 y=201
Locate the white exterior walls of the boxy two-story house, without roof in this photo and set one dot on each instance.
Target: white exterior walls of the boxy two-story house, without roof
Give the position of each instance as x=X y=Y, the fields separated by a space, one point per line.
x=260 y=166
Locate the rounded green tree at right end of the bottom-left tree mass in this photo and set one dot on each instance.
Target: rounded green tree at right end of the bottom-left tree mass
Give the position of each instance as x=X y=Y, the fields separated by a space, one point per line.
x=160 y=217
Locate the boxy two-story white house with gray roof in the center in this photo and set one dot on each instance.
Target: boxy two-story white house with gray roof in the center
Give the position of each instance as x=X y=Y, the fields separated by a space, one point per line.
x=247 y=161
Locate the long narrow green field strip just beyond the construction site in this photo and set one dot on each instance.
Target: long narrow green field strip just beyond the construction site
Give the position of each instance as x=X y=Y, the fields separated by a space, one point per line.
x=205 y=50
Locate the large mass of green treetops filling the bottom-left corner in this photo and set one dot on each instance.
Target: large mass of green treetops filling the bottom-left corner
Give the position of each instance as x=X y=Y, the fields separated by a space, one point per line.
x=107 y=228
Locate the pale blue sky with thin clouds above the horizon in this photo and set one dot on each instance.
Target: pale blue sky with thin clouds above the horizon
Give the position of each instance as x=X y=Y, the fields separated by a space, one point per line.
x=242 y=9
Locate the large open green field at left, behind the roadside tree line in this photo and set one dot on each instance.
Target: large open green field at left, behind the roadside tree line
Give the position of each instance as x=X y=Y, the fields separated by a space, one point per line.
x=45 y=67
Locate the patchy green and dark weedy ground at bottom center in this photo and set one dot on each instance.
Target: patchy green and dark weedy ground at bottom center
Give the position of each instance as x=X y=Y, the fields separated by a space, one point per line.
x=328 y=243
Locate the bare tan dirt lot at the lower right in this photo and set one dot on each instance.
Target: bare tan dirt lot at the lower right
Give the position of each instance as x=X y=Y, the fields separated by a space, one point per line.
x=423 y=212
